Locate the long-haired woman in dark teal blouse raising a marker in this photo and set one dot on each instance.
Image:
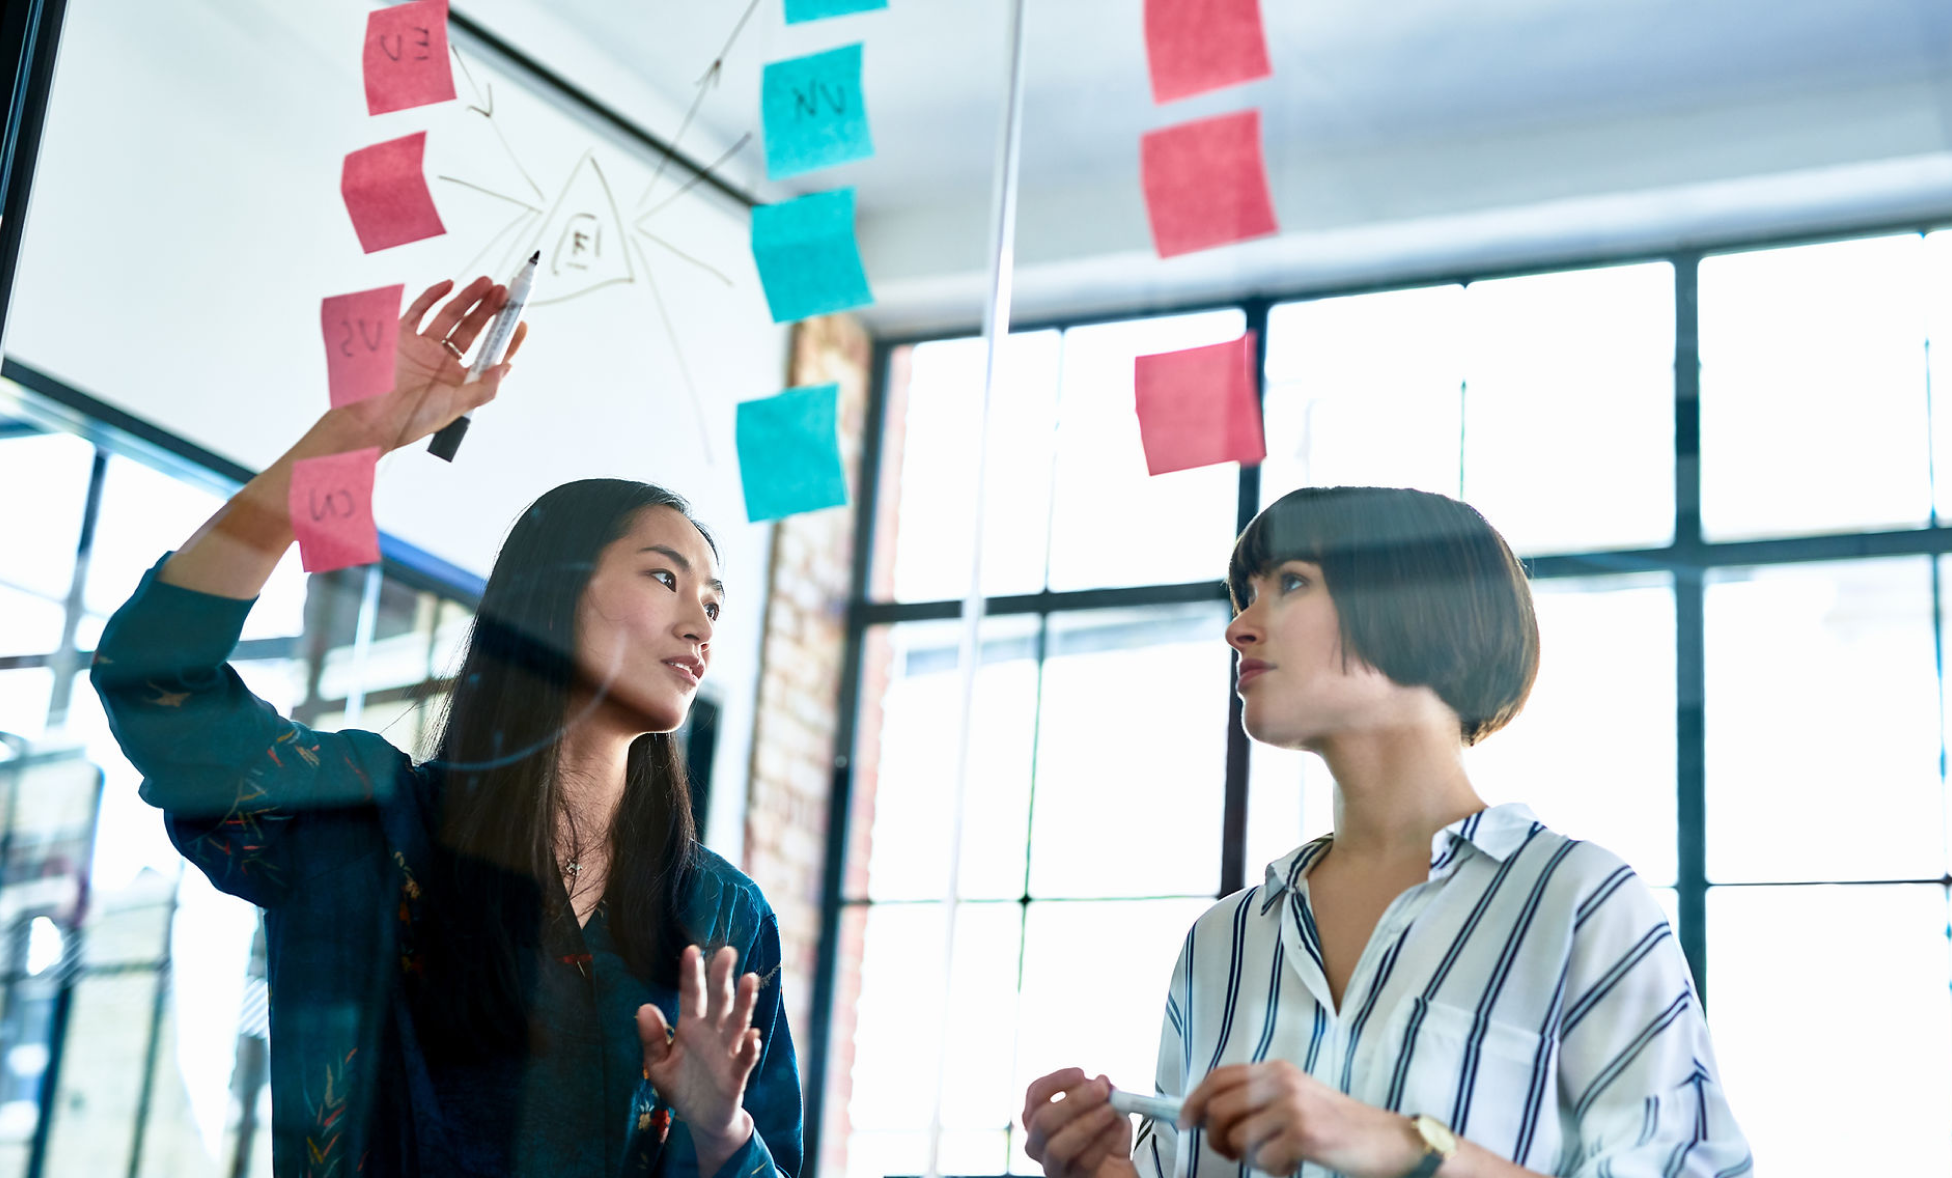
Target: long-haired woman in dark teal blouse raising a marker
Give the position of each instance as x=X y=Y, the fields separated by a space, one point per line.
x=489 y=962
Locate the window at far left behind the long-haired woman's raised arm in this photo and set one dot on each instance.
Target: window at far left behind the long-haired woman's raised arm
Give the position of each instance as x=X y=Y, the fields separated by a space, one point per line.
x=159 y=968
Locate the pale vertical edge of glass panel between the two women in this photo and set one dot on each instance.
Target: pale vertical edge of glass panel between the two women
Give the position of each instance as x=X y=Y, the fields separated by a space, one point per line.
x=969 y=657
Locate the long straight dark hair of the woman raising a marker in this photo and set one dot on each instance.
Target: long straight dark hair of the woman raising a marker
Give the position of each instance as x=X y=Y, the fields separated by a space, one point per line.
x=499 y=792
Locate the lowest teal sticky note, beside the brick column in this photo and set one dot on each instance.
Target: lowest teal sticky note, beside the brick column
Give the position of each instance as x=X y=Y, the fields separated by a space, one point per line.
x=790 y=452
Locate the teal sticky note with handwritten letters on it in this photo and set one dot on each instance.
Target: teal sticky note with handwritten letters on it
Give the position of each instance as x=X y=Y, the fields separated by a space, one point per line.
x=815 y=112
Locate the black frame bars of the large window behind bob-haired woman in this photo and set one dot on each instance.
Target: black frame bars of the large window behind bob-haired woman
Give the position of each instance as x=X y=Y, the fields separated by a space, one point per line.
x=1689 y=560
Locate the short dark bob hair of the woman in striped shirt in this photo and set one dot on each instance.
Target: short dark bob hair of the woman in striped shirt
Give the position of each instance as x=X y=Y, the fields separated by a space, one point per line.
x=1426 y=589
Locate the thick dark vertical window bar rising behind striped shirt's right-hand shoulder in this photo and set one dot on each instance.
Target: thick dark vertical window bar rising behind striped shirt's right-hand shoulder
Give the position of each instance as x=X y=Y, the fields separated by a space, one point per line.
x=1691 y=675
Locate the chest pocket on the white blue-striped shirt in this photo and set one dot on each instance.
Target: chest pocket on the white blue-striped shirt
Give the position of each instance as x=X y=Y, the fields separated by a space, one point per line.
x=1486 y=1079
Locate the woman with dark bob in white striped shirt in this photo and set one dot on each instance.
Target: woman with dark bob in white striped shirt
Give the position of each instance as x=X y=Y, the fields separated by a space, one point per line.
x=1438 y=988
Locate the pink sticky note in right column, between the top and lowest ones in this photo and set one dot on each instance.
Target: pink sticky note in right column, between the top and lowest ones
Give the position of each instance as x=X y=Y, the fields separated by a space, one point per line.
x=1205 y=185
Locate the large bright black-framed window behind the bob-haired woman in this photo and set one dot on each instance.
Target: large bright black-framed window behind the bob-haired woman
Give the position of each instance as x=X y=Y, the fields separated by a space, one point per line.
x=1738 y=693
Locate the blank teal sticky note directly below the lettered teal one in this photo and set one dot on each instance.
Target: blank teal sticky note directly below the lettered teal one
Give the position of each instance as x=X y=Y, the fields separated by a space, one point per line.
x=807 y=257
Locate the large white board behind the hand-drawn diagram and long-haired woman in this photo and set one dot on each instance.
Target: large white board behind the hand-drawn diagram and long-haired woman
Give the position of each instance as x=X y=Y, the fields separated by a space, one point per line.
x=186 y=220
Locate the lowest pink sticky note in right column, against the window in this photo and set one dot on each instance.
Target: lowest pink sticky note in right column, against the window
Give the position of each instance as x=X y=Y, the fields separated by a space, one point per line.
x=1200 y=407
